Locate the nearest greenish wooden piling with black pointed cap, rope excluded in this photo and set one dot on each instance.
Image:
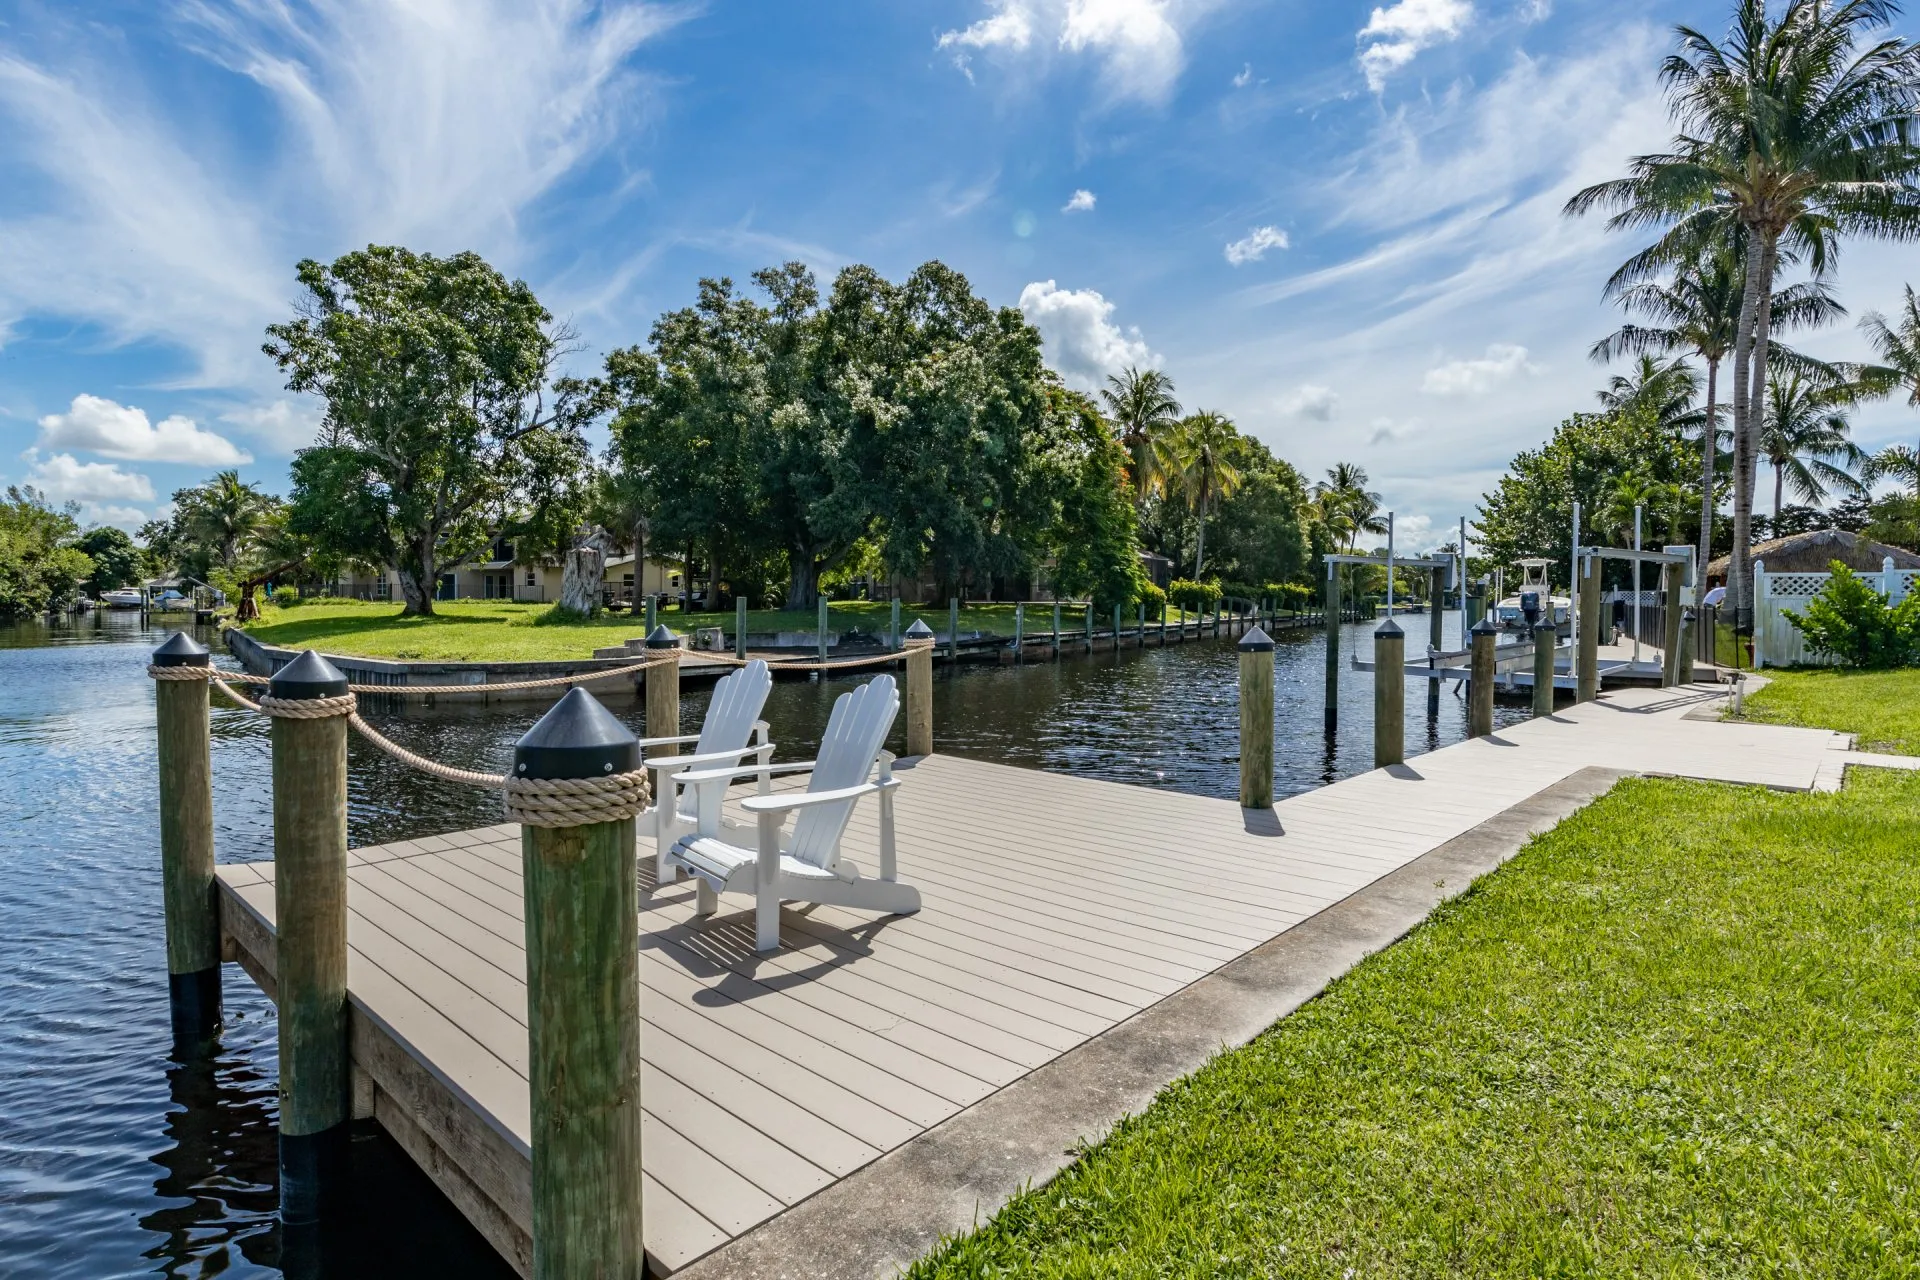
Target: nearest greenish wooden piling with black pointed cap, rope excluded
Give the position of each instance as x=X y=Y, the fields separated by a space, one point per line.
x=583 y=1008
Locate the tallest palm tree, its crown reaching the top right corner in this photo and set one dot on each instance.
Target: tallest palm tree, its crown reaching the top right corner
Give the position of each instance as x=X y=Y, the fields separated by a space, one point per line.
x=1790 y=133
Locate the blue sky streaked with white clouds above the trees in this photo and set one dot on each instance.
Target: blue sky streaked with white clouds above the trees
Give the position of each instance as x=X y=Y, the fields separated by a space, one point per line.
x=1335 y=222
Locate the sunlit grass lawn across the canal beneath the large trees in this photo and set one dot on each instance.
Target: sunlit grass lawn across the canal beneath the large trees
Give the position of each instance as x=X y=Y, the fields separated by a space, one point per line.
x=512 y=632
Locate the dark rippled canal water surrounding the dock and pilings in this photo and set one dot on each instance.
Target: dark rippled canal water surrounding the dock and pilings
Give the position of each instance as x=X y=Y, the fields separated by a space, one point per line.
x=118 y=1160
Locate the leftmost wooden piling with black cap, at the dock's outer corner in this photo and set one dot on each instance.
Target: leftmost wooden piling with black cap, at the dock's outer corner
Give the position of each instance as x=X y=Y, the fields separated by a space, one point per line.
x=187 y=843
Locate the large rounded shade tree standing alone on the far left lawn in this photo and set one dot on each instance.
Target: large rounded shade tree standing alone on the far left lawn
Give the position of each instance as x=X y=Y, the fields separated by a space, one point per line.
x=439 y=379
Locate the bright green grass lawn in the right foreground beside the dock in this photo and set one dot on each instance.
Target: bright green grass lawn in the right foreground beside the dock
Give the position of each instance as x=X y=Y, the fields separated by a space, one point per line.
x=1675 y=1037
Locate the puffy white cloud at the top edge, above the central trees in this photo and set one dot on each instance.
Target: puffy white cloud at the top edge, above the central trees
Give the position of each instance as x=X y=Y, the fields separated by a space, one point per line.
x=1138 y=41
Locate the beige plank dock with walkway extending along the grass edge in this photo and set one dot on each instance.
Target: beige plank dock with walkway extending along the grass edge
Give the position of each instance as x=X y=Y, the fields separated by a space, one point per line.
x=1055 y=911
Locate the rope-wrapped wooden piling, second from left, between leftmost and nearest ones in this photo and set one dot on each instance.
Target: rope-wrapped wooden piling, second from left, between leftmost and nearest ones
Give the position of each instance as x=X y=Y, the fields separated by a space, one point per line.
x=310 y=895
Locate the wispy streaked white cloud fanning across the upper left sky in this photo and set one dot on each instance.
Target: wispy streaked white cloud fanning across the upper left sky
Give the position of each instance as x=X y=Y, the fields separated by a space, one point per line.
x=408 y=124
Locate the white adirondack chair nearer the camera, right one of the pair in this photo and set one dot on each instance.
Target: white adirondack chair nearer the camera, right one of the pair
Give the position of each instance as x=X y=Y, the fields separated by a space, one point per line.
x=805 y=866
